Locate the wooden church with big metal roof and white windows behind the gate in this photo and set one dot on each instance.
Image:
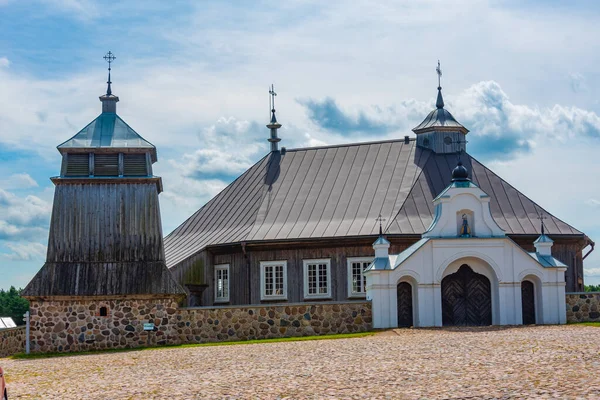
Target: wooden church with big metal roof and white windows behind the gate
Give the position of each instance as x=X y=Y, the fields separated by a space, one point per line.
x=299 y=224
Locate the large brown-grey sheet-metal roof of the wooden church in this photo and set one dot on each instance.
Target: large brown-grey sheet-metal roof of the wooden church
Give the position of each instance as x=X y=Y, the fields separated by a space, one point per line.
x=339 y=191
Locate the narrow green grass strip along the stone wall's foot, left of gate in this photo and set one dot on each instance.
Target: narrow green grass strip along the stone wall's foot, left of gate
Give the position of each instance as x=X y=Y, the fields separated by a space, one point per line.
x=23 y=356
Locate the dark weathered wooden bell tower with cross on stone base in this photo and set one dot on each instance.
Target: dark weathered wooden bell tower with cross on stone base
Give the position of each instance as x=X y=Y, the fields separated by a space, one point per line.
x=105 y=244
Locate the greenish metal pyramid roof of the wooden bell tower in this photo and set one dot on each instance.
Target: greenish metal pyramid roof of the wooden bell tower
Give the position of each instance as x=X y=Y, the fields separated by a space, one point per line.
x=107 y=131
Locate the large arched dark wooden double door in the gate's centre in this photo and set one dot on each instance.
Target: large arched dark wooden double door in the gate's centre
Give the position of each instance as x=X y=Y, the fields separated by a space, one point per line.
x=466 y=298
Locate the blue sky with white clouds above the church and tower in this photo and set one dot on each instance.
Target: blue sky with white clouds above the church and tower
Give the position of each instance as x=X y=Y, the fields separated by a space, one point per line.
x=193 y=79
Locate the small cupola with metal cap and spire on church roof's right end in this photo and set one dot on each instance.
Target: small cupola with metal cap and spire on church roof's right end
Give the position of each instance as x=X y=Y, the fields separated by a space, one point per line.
x=440 y=131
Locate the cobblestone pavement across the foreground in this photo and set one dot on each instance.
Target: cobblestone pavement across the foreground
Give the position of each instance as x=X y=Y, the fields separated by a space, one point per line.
x=531 y=362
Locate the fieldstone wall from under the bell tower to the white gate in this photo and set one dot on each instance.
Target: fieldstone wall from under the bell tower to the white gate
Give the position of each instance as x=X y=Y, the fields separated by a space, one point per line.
x=77 y=325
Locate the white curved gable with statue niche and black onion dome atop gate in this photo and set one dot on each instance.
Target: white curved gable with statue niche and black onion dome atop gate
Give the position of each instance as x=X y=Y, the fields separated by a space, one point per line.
x=462 y=210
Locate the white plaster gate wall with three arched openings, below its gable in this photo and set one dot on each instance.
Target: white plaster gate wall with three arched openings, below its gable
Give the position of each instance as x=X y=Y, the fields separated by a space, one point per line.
x=502 y=261
